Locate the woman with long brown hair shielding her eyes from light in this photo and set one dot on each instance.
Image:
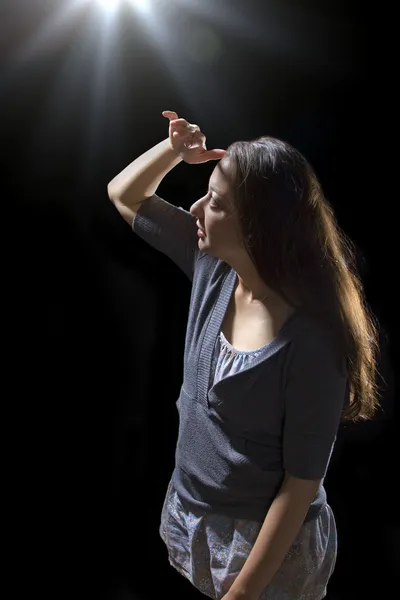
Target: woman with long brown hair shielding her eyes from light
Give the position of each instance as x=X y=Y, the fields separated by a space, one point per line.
x=280 y=346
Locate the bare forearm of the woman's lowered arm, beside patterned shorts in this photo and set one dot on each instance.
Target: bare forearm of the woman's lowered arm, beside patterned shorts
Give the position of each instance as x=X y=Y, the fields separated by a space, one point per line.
x=279 y=531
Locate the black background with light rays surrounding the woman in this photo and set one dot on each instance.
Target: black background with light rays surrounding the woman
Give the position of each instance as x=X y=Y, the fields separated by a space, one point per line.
x=97 y=318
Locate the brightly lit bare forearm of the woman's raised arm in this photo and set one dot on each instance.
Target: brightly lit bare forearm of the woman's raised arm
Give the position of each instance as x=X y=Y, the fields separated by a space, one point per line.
x=142 y=177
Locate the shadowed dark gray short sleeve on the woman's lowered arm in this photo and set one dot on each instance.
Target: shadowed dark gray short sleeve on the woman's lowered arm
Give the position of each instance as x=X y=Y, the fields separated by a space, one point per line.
x=315 y=395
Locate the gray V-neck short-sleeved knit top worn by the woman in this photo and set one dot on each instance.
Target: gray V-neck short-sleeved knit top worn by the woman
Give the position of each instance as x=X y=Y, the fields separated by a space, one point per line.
x=280 y=412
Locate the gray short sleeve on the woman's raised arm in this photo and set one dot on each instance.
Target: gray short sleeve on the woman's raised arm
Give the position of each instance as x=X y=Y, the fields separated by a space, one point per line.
x=169 y=229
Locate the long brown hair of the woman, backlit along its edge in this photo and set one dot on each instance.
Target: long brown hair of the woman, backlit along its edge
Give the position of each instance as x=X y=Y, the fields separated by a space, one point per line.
x=291 y=234
